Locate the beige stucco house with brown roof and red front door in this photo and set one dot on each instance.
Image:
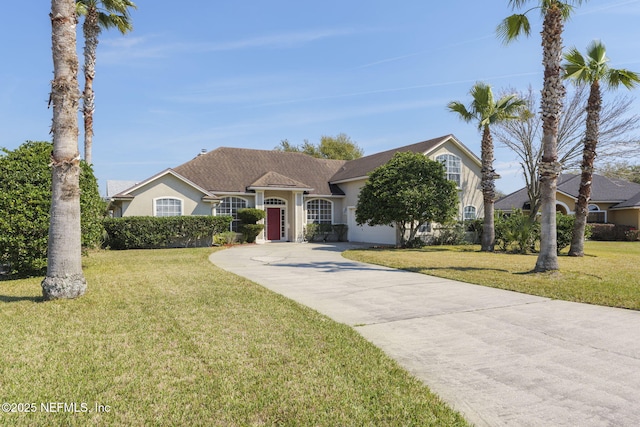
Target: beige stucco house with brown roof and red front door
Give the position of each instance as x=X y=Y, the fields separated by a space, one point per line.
x=293 y=188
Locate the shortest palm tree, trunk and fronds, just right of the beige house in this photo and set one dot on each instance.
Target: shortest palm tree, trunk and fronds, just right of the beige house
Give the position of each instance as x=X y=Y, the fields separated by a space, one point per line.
x=487 y=111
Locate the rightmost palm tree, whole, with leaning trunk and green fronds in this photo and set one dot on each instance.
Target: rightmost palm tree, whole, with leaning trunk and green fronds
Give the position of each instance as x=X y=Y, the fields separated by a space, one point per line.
x=591 y=70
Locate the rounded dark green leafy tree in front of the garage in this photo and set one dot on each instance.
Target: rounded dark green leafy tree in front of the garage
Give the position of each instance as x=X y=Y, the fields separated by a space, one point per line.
x=407 y=192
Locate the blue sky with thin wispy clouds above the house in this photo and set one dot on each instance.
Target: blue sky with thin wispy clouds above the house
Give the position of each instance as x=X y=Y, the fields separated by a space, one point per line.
x=208 y=74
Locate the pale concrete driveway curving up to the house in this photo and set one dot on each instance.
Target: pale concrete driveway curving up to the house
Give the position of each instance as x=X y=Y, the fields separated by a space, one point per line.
x=499 y=357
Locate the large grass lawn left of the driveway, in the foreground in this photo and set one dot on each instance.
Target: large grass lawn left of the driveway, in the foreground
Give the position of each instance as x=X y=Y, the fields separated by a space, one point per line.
x=166 y=338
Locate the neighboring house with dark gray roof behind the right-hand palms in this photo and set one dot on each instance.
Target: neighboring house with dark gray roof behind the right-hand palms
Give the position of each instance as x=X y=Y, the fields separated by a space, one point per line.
x=613 y=201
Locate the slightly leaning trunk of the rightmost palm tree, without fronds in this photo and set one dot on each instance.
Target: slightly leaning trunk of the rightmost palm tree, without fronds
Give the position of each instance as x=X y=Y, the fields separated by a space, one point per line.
x=588 y=158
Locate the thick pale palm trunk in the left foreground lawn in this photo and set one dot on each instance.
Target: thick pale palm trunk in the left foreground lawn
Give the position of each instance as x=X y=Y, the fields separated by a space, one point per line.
x=64 y=278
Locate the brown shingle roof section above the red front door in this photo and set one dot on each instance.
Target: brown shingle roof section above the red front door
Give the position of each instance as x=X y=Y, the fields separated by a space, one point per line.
x=234 y=169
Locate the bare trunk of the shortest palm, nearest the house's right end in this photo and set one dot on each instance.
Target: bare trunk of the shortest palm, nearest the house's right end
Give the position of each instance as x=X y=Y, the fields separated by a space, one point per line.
x=488 y=191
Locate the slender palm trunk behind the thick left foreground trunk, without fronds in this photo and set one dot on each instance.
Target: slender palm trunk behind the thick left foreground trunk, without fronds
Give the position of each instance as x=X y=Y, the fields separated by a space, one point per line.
x=90 y=29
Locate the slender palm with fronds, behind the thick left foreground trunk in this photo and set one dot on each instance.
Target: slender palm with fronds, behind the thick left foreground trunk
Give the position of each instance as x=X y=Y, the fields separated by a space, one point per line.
x=98 y=14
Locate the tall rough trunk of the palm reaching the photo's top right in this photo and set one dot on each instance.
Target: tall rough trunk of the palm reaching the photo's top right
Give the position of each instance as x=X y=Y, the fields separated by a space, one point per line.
x=551 y=105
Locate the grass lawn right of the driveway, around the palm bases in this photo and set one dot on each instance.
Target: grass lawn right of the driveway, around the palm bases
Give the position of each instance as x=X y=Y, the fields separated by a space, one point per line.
x=607 y=275
